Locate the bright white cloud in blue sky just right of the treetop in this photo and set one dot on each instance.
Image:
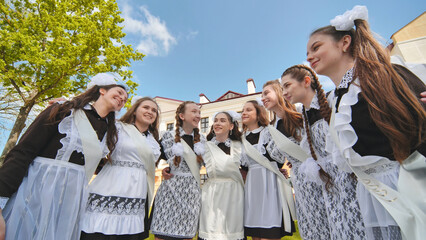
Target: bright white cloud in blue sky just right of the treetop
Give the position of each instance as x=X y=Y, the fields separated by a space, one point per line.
x=154 y=37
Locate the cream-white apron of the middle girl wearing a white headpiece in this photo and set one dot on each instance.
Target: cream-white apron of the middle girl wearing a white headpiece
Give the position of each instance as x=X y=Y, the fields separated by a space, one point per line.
x=222 y=209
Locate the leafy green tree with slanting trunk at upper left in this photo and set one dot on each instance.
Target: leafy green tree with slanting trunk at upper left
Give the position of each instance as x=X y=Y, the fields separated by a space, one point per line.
x=50 y=48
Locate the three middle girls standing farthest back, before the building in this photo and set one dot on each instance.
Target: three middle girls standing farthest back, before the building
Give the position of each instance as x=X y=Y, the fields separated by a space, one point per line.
x=225 y=207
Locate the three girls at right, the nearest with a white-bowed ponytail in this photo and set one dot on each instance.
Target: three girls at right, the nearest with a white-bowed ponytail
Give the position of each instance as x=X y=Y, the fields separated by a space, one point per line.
x=362 y=157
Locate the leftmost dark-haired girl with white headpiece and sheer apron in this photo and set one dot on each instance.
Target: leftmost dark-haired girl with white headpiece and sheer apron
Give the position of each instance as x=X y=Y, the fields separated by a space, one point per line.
x=43 y=181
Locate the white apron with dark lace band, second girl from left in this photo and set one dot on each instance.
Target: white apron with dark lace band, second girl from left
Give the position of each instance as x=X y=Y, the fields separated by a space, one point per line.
x=119 y=208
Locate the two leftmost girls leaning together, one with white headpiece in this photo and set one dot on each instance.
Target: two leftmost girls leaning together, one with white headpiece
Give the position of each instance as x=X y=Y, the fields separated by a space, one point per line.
x=44 y=180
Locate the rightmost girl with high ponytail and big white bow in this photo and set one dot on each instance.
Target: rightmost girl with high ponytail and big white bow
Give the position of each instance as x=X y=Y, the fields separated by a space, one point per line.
x=377 y=125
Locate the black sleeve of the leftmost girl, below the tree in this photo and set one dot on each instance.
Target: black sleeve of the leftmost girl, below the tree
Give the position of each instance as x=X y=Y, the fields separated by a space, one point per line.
x=17 y=161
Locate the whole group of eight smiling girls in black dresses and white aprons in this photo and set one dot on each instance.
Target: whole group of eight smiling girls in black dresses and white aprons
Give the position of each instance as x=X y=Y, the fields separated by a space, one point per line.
x=353 y=159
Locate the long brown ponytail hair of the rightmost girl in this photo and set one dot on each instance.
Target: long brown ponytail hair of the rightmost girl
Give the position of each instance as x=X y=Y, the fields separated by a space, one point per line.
x=384 y=90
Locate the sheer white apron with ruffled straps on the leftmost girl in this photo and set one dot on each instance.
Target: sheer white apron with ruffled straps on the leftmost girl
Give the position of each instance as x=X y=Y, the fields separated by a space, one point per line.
x=51 y=198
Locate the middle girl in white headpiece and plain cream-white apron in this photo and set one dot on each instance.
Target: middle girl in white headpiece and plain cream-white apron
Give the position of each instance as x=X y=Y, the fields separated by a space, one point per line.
x=222 y=198
